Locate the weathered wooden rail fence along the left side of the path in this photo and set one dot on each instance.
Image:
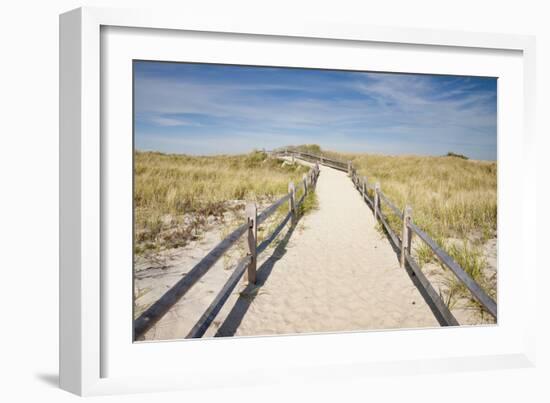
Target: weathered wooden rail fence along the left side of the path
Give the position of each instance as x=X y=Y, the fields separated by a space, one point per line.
x=248 y=264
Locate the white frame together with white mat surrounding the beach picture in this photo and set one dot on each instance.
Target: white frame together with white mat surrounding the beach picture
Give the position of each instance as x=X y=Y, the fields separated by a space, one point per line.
x=86 y=346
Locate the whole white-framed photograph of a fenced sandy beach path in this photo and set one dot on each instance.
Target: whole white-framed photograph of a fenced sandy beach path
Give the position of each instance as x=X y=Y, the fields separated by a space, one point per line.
x=338 y=199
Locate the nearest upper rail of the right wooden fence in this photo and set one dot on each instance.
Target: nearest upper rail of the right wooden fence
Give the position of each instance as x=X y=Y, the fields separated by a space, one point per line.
x=477 y=292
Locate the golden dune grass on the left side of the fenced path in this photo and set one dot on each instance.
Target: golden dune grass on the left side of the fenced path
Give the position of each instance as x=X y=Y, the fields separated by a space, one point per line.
x=174 y=195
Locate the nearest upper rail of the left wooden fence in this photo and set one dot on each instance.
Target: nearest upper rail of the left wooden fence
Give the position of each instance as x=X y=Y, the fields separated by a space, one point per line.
x=164 y=303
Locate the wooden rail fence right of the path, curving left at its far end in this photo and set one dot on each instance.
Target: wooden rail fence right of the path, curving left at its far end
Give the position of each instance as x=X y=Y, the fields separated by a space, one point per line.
x=403 y=243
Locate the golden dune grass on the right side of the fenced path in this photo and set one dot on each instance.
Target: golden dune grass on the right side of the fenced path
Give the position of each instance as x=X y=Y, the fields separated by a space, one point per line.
x=454 y=200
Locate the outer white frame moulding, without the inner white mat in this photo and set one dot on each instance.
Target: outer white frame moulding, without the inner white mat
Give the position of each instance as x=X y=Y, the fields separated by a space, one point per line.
x=80 y=164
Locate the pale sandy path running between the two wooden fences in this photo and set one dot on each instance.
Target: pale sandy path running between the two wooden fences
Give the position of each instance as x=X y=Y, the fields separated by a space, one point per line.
x=334 y=272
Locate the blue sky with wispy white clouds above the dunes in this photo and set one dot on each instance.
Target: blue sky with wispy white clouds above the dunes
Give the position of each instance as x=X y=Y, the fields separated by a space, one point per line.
x=205 y=109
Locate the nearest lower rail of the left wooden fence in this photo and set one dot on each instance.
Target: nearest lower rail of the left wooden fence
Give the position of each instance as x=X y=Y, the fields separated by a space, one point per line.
x=215 y=307
